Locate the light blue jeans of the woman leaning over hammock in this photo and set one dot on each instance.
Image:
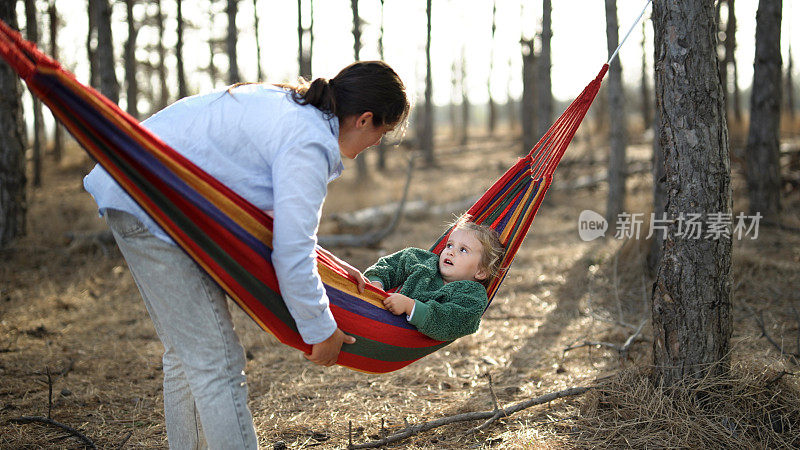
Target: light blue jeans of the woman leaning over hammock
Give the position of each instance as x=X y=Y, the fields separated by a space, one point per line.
x=203 y=359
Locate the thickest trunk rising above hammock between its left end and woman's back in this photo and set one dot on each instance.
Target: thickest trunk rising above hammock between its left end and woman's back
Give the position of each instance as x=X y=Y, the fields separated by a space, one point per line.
x=104 y=51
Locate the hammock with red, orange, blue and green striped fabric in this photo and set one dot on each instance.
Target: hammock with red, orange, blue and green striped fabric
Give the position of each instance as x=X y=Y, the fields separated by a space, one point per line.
x=231 y=239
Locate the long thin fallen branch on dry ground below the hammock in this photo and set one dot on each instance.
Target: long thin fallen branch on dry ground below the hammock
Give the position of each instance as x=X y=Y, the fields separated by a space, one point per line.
x=478 y=415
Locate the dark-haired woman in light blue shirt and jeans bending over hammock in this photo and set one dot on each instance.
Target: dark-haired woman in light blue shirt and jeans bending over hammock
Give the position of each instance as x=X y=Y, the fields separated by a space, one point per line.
x=278 y=147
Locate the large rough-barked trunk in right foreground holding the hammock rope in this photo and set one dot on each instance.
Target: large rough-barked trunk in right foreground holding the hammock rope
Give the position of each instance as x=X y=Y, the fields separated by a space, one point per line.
x=691 y=294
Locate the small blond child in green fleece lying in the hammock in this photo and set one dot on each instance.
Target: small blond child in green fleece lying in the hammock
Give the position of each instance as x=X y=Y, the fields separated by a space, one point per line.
x=443 y=295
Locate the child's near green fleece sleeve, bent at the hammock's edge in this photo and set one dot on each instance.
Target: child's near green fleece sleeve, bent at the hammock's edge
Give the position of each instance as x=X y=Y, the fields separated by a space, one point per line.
x=458 y=315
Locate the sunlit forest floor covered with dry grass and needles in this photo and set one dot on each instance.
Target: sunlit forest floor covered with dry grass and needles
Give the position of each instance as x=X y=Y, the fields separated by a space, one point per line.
x=71 y=320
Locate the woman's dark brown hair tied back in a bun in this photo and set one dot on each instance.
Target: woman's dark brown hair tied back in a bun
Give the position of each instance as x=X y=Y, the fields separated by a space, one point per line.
x=364 y=86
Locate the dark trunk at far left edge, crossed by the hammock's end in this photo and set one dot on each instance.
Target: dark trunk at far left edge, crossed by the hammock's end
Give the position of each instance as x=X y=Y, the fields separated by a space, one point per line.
x=13 y=205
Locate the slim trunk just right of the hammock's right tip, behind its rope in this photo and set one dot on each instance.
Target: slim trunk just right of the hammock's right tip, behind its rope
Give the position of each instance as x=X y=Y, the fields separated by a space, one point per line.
x=617 y=122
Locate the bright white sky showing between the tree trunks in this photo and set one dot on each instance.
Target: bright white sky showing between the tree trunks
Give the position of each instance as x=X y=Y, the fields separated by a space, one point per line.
x=578 y=44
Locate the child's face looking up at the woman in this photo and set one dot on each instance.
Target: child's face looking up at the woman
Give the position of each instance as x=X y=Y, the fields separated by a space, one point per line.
x=461 y=257
